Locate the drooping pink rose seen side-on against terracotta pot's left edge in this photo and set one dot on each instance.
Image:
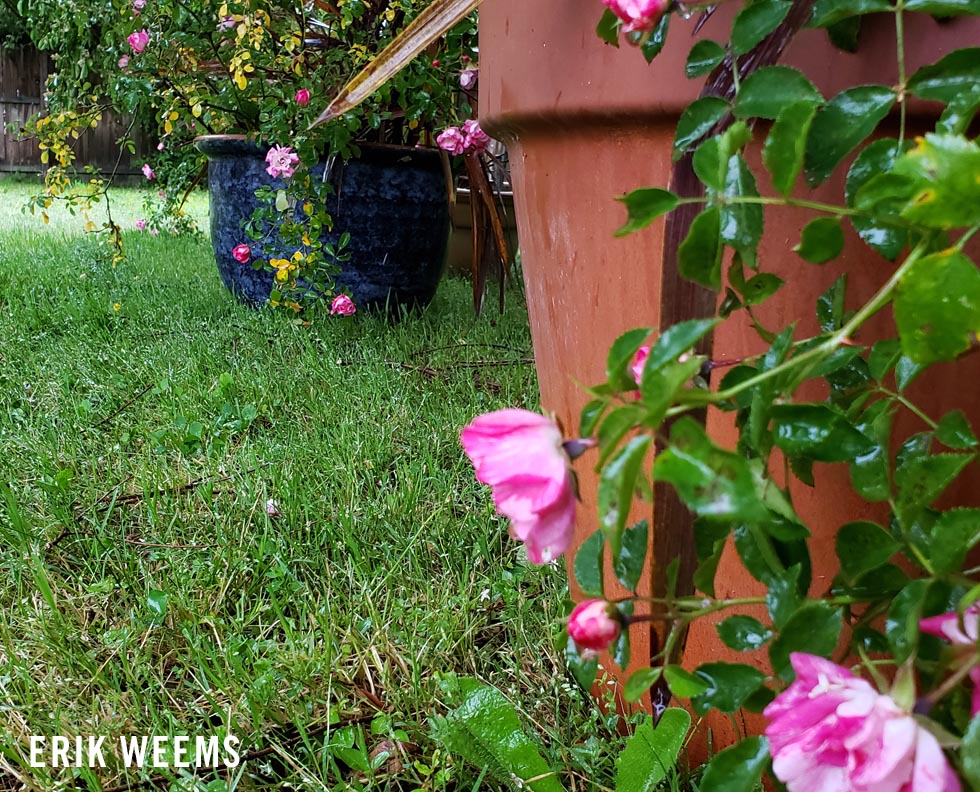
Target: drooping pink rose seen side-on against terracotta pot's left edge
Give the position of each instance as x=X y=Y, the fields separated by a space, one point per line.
x=519 y=454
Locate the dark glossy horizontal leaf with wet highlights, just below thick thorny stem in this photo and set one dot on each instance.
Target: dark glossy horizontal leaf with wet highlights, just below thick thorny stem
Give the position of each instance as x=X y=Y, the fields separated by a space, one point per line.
x=818 y=432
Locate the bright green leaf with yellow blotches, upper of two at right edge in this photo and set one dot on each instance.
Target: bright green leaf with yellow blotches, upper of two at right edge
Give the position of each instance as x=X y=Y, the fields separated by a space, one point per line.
x=944 y=171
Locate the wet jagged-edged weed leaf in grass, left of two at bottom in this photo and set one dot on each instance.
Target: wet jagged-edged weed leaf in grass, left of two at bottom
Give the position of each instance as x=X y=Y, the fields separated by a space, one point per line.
x=486 y=730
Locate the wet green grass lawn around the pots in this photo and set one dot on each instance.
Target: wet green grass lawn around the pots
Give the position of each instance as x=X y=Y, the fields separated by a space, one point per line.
x=219 y=522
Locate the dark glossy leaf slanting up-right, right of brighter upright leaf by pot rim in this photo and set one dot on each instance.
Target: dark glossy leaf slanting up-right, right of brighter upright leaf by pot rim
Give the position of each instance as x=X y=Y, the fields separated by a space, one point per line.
x=841 y=125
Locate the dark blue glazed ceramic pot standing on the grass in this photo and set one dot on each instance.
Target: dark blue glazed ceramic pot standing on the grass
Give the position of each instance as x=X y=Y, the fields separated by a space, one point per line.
x=392 y=200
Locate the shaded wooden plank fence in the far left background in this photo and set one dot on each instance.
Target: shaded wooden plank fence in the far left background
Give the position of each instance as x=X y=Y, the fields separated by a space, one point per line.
x=23 y=73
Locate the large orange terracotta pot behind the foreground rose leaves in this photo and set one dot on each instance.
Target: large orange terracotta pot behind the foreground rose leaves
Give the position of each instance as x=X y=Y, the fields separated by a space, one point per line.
x=585 y=122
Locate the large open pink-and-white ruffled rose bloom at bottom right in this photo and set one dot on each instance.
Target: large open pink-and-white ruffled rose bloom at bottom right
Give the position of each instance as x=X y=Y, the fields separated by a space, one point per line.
x=831 y=730
